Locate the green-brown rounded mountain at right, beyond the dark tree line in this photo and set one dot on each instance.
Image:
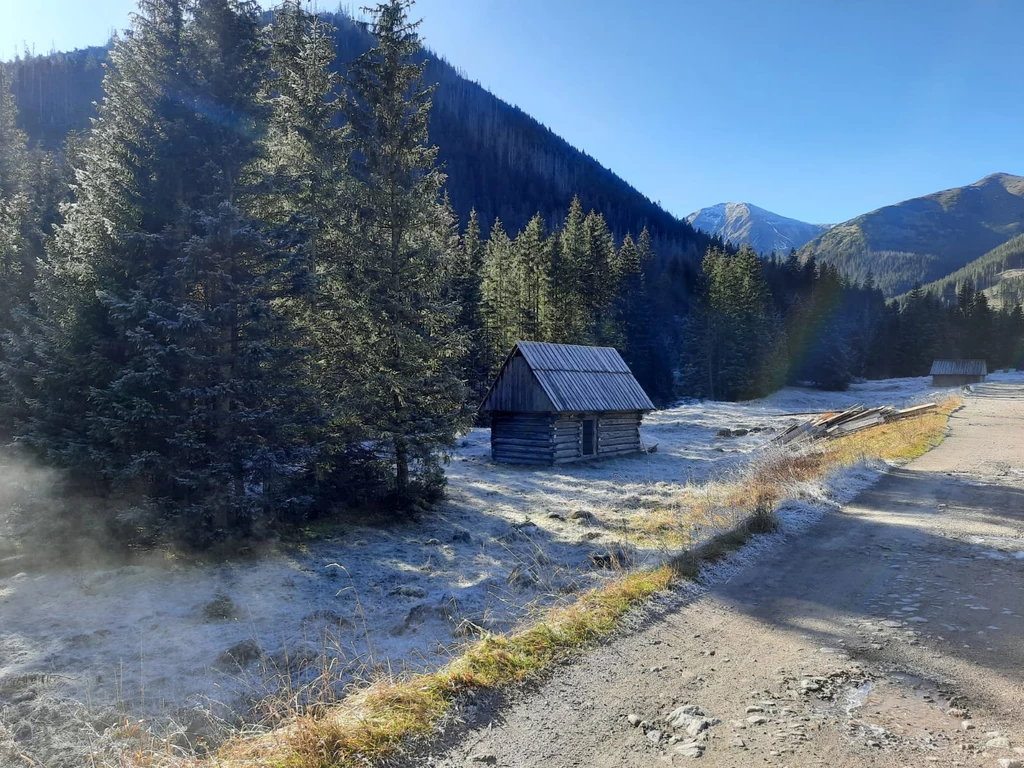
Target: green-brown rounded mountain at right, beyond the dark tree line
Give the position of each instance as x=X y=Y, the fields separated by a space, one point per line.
x=925 y=239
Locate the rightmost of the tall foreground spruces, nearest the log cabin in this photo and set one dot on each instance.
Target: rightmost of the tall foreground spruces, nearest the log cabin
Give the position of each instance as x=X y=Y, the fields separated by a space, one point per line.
x=407 y=344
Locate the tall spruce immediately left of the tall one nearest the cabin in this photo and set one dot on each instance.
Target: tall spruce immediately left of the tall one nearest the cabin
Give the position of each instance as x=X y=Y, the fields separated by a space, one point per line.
x=308 y=194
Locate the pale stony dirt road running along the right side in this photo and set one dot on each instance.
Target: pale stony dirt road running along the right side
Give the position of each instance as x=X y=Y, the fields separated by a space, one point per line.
x=890 y=634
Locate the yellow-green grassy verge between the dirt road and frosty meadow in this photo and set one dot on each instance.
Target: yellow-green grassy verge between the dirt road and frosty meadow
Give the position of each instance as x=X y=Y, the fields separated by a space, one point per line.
x=374 y=722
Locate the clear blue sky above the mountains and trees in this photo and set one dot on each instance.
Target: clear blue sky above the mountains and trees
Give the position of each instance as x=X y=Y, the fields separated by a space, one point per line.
x=816 y=110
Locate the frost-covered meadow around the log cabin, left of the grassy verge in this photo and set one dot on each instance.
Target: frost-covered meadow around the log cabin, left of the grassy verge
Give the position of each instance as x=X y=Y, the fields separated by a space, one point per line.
x=313 y=623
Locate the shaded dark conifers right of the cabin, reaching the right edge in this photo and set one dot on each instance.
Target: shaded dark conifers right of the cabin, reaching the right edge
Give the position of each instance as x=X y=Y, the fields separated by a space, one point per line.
x=758 y=325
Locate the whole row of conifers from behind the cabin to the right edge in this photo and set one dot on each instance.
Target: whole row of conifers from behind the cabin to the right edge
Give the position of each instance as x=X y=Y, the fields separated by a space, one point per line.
x=739 y=327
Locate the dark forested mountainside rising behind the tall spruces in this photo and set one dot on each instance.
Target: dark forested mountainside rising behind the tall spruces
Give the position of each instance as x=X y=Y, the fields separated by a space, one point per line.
x=499 y=159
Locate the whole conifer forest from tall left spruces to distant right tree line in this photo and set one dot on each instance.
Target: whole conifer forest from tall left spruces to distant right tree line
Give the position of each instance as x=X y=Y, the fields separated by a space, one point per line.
x=250 y=293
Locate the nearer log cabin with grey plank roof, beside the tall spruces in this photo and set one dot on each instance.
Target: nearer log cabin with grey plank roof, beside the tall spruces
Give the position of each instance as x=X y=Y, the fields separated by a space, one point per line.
x=553 y=404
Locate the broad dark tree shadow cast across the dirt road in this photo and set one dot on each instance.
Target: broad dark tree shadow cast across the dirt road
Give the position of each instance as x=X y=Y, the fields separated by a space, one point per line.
x=943 y=557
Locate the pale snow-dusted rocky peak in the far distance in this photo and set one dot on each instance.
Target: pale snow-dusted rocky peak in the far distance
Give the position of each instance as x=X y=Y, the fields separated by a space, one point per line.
x=743 y=224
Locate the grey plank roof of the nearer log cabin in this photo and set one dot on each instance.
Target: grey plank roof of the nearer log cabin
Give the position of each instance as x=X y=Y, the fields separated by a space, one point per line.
x=579 y=378
